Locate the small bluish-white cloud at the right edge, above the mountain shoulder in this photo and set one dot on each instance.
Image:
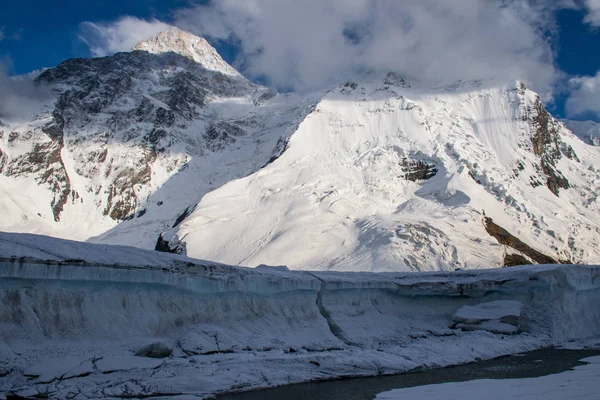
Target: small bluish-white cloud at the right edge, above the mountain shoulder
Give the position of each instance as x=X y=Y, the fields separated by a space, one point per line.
x=584 y=101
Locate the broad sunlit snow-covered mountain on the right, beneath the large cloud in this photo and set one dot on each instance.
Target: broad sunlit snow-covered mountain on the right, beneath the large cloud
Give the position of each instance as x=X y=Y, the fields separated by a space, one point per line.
x=386 y=176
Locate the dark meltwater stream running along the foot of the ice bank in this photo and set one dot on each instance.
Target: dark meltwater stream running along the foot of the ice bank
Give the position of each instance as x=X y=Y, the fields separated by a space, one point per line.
x=529 y=365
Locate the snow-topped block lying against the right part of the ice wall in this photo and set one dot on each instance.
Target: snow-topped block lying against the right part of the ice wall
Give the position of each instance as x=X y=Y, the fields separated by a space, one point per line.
x=501 y=316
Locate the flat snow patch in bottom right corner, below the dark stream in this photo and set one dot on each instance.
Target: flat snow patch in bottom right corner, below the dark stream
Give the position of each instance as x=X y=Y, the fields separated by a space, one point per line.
x=582 y=383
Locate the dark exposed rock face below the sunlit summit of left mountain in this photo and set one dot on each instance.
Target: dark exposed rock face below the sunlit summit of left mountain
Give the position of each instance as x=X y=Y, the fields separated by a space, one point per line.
x=108 y=89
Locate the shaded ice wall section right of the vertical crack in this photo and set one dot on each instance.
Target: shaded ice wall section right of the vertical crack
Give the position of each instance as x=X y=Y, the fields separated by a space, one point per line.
x=560 y=302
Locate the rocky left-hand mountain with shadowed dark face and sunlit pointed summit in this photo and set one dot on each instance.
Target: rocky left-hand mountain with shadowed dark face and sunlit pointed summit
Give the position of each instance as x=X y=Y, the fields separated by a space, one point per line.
x=122 y=126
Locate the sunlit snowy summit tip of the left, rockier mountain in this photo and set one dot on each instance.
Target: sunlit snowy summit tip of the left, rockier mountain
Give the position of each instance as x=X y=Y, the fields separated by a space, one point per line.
x=188 y=45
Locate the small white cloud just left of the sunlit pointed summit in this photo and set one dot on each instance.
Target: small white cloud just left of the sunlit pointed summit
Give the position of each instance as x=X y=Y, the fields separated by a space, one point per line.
x=120 y=35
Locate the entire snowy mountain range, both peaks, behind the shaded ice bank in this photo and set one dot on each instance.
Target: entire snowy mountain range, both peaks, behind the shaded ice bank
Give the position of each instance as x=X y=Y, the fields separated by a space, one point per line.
x=169 y=147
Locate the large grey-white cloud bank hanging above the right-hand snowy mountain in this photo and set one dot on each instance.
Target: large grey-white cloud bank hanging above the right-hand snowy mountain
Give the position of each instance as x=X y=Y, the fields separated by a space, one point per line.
x=311 y=43
